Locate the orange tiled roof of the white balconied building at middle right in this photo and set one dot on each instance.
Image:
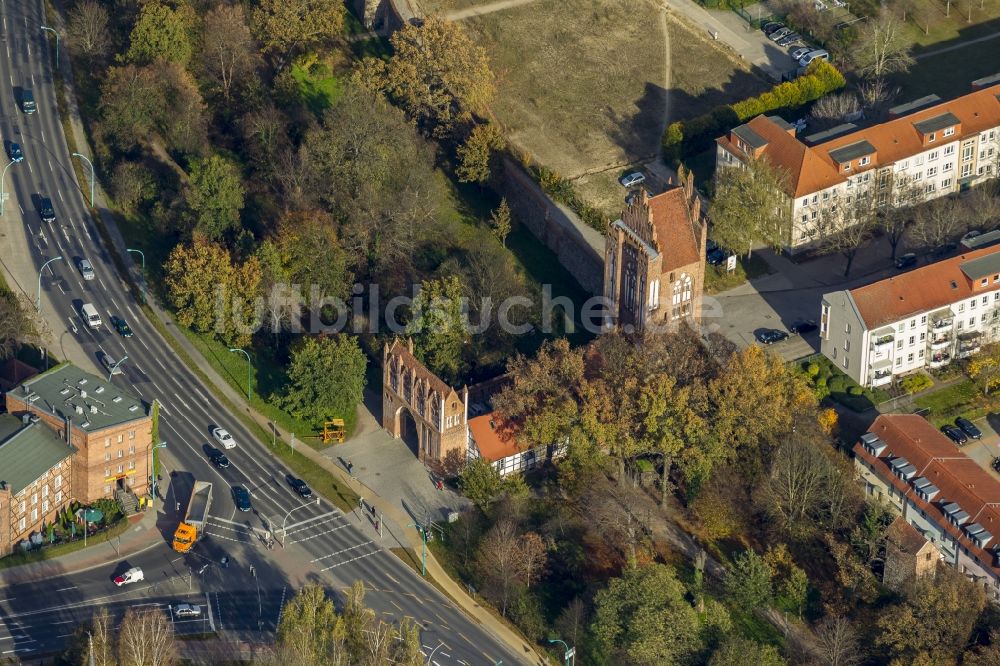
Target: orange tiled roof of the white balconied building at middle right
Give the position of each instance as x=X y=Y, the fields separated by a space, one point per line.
x=920 y=290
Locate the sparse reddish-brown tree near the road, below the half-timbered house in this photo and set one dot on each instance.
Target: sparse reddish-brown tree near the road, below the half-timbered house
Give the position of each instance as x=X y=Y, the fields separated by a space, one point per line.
x=508 y=559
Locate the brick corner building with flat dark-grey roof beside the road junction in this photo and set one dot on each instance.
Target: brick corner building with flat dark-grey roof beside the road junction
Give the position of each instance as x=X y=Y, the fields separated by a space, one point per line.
x=110 y=428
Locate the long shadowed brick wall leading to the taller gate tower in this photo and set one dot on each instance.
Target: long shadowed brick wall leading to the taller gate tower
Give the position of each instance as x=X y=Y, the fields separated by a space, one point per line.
x=579 y=248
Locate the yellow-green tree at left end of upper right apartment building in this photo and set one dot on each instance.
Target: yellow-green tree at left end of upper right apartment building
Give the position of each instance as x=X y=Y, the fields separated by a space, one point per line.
x=750 y=206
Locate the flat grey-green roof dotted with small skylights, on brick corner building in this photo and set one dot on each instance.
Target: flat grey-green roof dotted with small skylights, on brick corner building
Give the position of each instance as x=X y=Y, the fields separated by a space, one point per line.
x=90 y=401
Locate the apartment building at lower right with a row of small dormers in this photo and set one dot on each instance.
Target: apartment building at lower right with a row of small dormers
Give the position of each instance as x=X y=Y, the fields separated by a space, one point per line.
x=904 y=462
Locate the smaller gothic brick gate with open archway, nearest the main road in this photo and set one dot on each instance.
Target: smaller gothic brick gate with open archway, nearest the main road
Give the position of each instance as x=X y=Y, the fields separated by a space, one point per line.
x=435 y=410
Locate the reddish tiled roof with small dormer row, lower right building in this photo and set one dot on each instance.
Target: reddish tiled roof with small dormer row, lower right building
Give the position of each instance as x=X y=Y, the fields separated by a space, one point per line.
x=959 y=478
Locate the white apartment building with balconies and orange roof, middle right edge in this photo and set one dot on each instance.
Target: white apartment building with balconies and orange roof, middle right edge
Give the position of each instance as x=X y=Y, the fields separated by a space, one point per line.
x=926 y=317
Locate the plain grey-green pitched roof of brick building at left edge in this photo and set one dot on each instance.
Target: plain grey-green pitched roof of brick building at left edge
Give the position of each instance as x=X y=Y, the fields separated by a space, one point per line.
x=27 y=451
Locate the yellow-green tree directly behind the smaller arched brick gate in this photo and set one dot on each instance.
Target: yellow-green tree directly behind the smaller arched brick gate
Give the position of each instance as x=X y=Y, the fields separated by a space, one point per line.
x=438 y=326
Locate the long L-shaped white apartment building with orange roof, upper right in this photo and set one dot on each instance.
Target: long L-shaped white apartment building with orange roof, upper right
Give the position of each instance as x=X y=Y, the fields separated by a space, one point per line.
x=928 y=148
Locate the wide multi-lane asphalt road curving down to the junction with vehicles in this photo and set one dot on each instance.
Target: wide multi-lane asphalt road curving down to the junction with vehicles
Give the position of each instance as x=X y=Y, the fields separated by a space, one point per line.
x=321 y=546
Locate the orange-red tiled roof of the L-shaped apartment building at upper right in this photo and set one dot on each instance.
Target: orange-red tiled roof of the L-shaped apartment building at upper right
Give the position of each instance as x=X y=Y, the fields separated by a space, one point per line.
x=811 y=169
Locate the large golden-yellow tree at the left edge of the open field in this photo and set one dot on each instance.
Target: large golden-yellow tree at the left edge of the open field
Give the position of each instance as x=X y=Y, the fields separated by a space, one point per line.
x=437 y=74
